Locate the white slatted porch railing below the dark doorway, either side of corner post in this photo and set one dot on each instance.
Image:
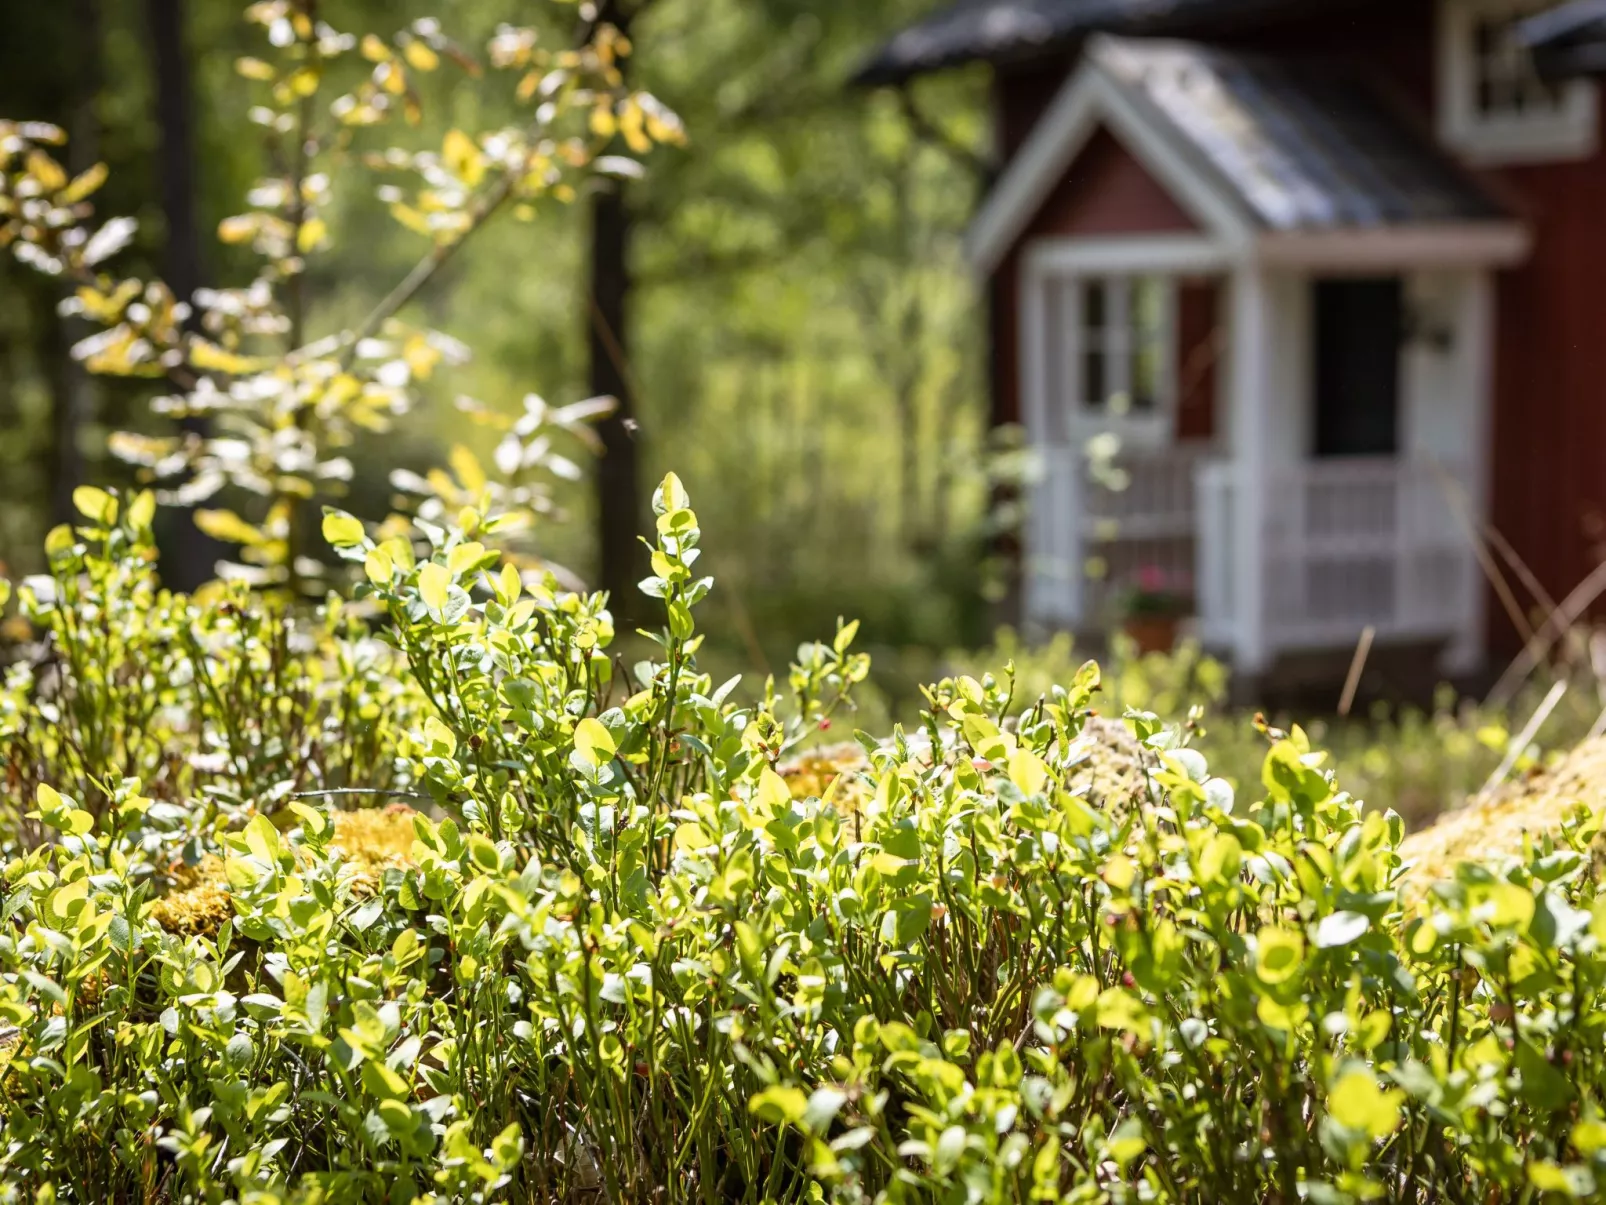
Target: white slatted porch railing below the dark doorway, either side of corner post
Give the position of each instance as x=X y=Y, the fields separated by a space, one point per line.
x=1347 y=544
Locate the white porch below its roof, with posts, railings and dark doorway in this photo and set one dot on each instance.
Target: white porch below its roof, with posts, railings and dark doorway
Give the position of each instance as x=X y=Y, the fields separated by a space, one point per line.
x=1315 y=502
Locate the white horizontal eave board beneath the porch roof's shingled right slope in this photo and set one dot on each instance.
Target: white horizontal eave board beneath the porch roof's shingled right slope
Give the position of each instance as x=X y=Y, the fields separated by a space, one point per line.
x=1395 y=248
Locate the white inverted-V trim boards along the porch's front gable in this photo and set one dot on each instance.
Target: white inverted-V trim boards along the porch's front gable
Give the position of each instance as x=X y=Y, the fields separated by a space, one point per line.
x=1085 y=102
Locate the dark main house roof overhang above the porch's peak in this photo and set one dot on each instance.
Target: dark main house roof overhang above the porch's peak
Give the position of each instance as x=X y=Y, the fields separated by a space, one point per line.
x=998 y=31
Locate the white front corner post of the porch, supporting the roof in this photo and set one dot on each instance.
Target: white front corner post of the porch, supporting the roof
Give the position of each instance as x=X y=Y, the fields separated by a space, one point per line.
x=1250 y=404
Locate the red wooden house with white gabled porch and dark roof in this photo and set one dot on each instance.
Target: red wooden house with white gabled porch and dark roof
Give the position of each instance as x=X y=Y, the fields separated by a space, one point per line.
x=1334 y=276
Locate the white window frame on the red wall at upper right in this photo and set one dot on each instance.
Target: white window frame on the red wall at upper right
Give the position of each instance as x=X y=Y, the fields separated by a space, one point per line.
x=1570 y=133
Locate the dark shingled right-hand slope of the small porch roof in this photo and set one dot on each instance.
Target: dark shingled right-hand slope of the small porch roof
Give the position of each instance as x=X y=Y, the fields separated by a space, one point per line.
x=1303 y=145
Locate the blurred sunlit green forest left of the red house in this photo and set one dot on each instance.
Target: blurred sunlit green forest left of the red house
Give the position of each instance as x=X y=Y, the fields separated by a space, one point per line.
x=781 y=304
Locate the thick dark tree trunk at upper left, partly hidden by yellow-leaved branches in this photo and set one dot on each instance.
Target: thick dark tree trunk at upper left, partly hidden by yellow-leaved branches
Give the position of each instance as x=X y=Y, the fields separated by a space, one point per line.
x=192 y=555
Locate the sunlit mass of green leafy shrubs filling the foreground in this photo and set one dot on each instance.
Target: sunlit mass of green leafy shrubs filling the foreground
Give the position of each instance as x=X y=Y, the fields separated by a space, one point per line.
x=618 y=958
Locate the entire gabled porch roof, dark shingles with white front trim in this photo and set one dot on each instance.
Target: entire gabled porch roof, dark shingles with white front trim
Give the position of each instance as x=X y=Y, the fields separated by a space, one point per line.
x=1252 y=145
